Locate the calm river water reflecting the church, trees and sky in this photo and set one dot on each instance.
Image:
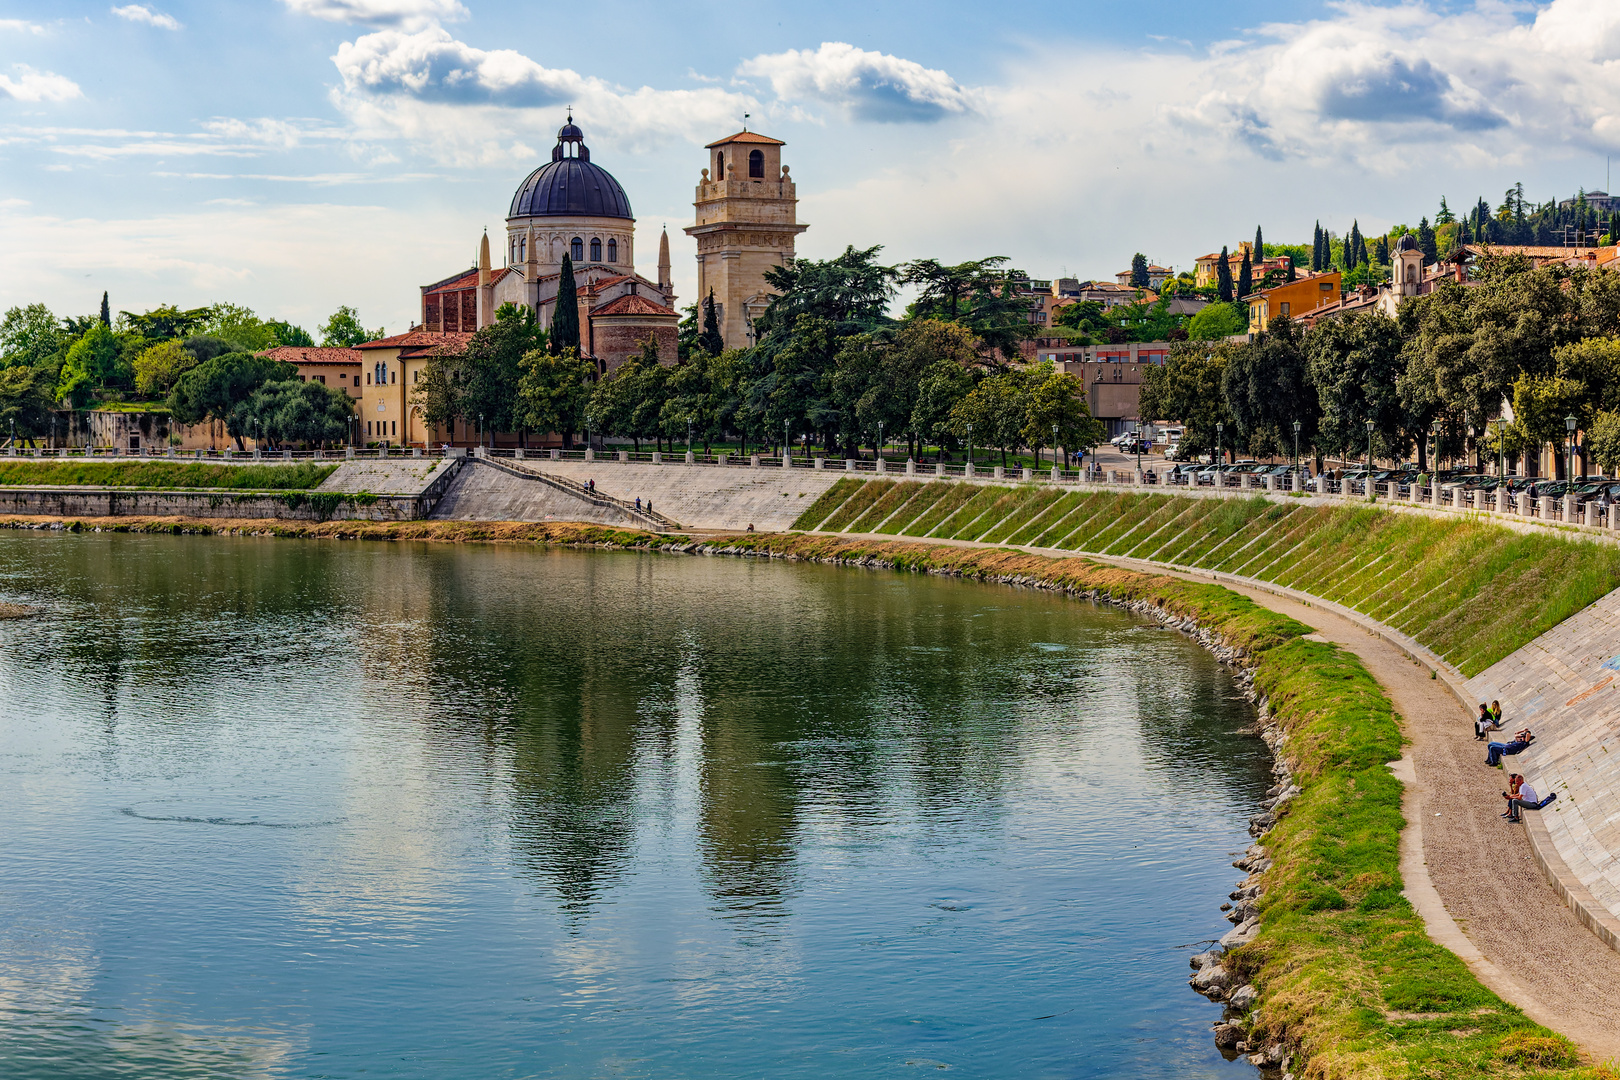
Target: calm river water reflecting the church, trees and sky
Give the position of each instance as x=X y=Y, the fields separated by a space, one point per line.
x=286 y=809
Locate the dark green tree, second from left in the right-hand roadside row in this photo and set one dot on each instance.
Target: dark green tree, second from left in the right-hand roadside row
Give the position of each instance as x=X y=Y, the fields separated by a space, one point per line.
x=1268 y=389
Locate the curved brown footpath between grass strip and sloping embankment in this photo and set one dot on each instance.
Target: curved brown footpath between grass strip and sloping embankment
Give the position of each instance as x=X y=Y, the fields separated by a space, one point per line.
x=1472 y=875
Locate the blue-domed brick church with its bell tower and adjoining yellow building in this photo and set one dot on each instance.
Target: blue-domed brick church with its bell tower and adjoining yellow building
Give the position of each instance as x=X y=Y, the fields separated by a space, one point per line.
x=746 y=223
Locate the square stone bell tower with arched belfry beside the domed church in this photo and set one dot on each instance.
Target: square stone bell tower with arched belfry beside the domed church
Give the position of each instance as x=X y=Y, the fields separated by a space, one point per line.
x=748 y=218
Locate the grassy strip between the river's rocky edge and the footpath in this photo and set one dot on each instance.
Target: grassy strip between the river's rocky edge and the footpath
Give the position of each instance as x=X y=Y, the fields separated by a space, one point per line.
x=1345 y=971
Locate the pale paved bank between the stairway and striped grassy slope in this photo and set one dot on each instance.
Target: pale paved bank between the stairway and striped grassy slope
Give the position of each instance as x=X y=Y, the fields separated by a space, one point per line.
x=702 y=498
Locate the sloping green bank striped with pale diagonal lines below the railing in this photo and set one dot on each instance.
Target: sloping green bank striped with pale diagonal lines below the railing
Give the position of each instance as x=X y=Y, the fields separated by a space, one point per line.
x=1470 y=590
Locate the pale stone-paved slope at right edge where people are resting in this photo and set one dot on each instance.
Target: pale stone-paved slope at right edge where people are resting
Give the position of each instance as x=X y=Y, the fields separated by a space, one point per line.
x=1566 y=686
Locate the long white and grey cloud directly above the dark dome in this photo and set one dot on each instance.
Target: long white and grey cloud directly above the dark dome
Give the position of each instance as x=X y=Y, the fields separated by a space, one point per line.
x=469 y=106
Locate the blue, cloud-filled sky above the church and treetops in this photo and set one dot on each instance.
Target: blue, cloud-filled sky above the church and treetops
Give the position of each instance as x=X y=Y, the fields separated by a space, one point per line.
x=301 y=155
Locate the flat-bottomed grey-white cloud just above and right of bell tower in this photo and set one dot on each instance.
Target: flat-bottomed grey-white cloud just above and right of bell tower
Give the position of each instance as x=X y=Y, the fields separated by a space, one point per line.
x=871 y=85
